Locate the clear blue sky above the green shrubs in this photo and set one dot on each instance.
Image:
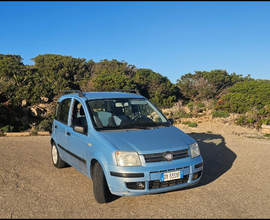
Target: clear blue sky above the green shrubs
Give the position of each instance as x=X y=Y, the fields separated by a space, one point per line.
x=170 y=37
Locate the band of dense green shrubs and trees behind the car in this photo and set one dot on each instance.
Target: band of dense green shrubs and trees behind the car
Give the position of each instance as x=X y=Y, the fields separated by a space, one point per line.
x=52 y=74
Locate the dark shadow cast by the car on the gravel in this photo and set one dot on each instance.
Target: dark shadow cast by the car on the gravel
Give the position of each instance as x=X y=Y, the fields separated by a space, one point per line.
x=217 y=157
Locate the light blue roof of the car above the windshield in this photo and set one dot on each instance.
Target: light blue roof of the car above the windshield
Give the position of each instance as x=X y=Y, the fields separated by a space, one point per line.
x=102 y=95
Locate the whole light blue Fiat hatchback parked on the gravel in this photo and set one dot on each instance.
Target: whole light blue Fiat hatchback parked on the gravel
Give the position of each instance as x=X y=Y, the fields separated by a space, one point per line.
x=122 y=142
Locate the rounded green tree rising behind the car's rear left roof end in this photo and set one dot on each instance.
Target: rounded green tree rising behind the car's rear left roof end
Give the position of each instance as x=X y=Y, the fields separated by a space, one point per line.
x=54 y=74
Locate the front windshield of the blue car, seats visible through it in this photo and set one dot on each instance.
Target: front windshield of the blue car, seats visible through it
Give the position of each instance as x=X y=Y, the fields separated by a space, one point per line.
x=126 y=113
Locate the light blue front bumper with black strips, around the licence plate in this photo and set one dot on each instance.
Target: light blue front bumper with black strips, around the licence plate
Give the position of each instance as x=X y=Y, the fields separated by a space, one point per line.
x=122 y=181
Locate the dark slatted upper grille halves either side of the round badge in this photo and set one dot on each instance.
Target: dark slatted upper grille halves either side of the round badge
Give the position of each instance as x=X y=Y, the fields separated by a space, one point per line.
x=159 y=157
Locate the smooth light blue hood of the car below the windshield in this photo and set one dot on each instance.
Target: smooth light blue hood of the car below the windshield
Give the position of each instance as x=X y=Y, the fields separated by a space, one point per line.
x=150 y=140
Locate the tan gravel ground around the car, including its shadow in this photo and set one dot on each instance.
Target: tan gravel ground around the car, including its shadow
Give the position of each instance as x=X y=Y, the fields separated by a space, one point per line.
x=235 y=184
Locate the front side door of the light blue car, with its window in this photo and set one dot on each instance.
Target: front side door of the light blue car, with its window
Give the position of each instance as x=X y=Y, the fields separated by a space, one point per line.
x=77 y=141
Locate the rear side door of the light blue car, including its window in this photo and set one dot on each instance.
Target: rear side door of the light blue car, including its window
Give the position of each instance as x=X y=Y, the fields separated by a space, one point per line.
x=61 y=125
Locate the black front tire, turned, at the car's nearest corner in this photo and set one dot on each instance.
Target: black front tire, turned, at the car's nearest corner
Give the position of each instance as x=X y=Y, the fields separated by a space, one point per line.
x=100 y=187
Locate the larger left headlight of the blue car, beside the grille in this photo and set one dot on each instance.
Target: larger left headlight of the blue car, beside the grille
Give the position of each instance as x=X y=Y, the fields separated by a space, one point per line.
x=127 y=158
